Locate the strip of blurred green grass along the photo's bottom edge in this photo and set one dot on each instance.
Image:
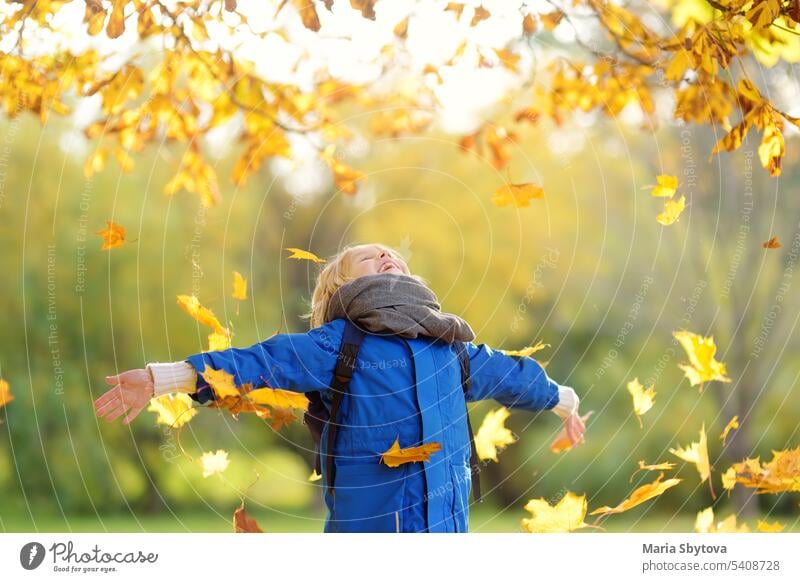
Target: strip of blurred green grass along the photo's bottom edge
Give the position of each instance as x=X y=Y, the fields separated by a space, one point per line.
x=482 y=520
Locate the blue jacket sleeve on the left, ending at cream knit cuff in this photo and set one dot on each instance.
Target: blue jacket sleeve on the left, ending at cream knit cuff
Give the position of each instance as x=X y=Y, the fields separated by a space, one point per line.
x=300 y=362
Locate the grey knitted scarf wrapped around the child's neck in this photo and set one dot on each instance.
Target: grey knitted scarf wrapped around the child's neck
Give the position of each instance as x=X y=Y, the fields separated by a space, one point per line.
x=397 y=305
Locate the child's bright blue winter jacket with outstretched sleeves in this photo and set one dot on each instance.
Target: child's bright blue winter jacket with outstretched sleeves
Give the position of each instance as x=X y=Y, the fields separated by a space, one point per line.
x=401 y=388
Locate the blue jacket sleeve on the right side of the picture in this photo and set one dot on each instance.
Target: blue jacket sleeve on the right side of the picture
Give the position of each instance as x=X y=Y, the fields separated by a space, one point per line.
x=513 y=381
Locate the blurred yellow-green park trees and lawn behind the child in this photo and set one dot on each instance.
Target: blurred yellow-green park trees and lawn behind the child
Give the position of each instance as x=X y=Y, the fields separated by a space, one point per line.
x=587 y=270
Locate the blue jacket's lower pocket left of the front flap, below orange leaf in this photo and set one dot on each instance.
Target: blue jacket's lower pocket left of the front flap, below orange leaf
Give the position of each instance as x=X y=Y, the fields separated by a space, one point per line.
x=368 y=497
